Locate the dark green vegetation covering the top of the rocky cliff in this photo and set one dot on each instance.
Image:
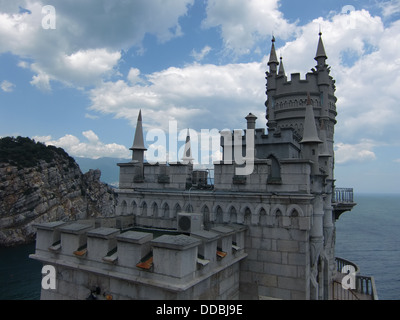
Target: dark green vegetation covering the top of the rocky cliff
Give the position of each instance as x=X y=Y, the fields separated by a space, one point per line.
x=26 y=153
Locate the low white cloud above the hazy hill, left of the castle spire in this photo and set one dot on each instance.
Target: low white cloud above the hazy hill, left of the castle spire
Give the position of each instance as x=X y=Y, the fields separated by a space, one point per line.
x=93 y=148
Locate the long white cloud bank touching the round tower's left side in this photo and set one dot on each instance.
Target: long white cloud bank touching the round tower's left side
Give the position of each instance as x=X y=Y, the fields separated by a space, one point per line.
x=204 y=96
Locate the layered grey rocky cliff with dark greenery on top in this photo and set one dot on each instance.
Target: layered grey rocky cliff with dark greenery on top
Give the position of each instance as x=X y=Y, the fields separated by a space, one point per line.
x=41 y=183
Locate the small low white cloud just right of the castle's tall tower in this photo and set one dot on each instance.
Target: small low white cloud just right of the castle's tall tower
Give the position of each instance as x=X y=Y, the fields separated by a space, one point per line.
x=361 y=152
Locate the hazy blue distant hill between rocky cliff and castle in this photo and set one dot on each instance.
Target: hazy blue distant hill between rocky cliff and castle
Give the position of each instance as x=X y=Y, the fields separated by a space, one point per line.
x=107 y=166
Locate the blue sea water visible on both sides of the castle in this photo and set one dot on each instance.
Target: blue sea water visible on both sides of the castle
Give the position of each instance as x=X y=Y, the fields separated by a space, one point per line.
x=369 y=236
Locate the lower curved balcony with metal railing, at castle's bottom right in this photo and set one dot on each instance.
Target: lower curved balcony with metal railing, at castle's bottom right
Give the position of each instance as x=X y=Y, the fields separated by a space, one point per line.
x=364 y=286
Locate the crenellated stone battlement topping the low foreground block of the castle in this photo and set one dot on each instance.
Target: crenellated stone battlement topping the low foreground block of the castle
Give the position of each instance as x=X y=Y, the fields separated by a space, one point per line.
x=176 y=262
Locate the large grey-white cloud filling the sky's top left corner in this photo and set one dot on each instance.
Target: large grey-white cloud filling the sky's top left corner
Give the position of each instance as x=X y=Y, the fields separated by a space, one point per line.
x=90 y=35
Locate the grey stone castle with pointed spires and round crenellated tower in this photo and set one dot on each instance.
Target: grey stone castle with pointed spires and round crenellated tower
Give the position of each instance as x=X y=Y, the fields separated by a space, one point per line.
x=267 y=232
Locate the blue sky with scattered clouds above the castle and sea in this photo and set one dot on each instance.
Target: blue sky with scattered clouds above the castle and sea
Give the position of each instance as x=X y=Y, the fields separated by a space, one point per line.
x=76 y=73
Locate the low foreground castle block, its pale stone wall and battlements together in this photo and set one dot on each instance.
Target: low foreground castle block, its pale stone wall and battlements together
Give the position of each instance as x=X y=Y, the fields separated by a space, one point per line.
x=147 y=267
